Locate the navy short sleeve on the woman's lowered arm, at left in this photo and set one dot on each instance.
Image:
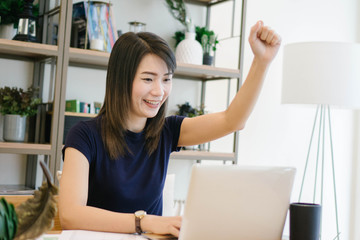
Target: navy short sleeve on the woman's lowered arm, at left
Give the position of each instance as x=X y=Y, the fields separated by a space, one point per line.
x=79 y=137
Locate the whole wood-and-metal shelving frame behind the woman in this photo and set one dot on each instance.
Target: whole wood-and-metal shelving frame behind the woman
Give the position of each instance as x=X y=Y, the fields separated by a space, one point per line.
x=66 y=56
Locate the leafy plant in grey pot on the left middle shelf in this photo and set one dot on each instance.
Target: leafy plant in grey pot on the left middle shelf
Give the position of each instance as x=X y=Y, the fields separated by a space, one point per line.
x=16 y=104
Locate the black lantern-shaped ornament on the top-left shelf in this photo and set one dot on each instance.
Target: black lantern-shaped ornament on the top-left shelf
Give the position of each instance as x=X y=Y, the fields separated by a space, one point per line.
x=27 y=24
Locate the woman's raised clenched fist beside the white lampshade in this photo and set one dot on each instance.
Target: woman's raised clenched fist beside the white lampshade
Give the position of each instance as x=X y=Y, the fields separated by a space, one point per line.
x=264 y=42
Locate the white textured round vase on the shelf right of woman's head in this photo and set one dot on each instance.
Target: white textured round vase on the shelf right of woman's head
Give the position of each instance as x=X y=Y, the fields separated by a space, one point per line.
x=189 y=50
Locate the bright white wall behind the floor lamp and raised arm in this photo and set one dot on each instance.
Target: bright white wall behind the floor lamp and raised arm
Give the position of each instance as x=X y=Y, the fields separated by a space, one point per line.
x=279 y=135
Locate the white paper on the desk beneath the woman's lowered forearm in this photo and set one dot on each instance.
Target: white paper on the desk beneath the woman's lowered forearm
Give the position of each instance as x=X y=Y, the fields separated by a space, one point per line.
x=92 y=235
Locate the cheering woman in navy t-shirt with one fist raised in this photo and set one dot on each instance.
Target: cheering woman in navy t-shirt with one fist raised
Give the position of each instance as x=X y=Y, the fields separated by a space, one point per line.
x=115 y=164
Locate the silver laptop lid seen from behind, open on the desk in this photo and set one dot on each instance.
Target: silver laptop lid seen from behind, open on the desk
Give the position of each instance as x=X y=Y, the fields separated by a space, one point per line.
x=237 y=202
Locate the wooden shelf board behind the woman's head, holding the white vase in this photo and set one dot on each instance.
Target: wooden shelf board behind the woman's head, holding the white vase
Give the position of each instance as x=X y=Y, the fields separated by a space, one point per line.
x=83 y=57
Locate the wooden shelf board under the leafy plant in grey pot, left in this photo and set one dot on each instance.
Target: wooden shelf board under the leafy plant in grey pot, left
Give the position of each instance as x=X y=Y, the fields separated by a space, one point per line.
x=25 y=148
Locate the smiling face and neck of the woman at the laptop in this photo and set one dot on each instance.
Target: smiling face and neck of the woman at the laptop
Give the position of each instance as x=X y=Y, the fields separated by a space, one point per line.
x=151 y=87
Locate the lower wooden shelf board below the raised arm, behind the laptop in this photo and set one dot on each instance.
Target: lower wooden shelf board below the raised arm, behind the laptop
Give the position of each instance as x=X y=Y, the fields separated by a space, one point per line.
x=202 y=155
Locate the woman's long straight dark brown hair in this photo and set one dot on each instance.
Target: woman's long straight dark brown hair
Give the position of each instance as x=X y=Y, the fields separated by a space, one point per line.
x=124 y=60
